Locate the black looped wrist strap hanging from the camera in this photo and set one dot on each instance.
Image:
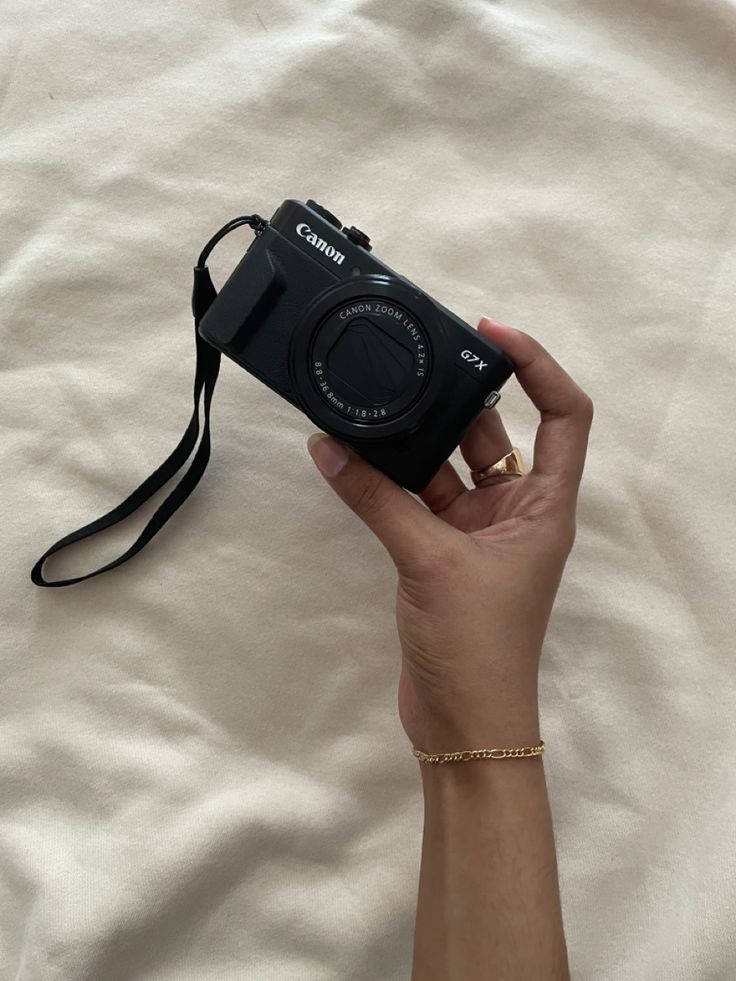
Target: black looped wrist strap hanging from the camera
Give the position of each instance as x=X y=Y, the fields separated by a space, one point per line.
x=205 y=378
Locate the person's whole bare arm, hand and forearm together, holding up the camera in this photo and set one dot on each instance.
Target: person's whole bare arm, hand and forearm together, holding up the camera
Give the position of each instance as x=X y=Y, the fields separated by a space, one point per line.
x=478 y=575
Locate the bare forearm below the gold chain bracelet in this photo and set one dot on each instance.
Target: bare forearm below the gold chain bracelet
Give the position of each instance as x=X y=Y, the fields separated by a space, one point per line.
x=488 y=907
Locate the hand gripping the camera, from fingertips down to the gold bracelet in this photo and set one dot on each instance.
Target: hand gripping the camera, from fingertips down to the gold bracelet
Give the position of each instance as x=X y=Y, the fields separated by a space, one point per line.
x=478 y=569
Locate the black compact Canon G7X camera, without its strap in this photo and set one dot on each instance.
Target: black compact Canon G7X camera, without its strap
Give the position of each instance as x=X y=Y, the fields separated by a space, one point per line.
x=362 y=351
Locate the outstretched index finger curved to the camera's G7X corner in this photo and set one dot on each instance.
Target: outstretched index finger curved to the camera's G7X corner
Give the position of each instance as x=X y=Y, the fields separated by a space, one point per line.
x=566 y=411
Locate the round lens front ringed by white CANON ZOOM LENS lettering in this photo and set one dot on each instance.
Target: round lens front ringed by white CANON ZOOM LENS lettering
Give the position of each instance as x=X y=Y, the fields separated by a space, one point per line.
x=370 y=359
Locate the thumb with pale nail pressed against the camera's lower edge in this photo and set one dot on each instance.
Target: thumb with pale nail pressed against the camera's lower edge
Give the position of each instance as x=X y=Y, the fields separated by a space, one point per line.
x=404 y=526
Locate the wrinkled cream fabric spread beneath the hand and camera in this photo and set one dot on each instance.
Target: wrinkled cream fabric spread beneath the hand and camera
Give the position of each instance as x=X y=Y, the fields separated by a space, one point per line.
x=201 y=768
